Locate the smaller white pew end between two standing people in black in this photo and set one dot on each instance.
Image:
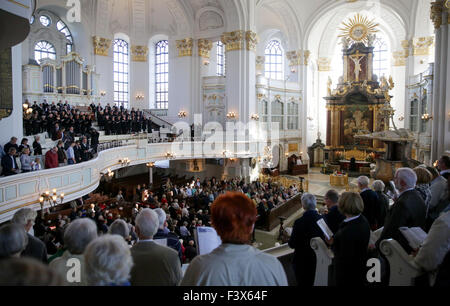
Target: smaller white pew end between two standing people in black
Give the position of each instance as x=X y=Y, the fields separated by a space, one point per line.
x=324 y=256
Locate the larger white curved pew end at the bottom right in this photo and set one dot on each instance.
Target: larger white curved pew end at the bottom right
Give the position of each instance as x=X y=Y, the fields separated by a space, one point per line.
x=403 y=269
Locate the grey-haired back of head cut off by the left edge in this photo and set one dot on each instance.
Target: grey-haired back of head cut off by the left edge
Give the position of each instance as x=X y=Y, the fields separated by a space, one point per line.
x=13 y=240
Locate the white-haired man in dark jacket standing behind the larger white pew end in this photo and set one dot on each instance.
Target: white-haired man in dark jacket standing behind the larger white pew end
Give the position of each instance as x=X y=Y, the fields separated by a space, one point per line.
x=408 y=210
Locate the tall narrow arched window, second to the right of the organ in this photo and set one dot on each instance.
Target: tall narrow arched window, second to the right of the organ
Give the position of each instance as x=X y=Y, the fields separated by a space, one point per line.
x=162 y=75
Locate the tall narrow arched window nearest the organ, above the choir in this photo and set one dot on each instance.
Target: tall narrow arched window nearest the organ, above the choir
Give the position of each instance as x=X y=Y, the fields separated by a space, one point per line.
x=121 y=61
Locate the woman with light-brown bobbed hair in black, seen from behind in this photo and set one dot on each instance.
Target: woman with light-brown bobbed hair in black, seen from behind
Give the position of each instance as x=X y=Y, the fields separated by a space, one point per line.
x=350 y=243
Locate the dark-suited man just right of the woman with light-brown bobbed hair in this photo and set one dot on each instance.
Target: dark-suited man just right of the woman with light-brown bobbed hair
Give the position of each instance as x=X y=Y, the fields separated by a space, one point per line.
x=372 y=204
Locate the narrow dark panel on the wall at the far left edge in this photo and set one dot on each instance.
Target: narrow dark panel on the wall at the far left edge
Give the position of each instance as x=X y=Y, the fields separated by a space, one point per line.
x=6 y=102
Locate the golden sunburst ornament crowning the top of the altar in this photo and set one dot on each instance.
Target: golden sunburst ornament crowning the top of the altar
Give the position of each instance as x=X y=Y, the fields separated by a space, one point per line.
x=358 y=28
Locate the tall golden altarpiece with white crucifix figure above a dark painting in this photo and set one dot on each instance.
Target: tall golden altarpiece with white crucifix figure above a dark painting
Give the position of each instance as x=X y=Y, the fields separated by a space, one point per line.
x=354 y=107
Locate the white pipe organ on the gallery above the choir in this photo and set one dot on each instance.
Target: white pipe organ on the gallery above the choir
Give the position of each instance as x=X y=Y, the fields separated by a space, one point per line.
x=69 y=80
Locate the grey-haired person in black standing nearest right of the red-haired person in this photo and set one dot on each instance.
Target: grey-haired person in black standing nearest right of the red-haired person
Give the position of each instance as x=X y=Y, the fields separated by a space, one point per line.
x=304 y=230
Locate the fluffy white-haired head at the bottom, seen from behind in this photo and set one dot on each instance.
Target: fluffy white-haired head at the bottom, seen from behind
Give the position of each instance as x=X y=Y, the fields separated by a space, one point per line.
x=108 y=261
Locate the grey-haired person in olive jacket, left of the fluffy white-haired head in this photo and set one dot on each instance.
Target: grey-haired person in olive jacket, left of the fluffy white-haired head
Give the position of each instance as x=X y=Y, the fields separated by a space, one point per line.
x=77 y=236
